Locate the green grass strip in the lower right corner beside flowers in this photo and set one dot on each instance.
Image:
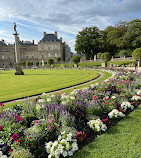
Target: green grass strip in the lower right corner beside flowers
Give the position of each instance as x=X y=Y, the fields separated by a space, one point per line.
x=122 y=141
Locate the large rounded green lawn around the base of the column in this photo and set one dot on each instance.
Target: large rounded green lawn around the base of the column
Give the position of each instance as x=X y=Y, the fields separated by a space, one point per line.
x=39 y=81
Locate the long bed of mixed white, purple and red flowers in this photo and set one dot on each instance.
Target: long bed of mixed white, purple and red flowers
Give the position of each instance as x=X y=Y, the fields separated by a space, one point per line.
x=58 y=125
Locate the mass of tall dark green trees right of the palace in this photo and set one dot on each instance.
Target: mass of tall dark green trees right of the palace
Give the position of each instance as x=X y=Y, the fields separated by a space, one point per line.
x=124 y=36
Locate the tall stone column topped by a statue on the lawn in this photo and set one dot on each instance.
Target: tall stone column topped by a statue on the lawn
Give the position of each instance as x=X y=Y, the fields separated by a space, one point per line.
x=17 y=54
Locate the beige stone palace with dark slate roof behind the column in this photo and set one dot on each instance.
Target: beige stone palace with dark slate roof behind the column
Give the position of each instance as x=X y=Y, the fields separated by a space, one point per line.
x=49 y=47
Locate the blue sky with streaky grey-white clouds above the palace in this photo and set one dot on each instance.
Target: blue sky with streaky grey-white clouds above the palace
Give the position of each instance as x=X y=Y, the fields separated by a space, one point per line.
x=67 y=17
